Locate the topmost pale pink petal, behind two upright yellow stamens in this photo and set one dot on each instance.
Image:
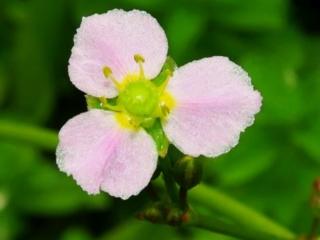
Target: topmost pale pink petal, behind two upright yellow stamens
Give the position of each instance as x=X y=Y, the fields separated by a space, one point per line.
x=112 y=39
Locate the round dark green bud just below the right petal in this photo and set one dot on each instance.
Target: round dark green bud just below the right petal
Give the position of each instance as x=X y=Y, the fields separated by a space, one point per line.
x=188 y=171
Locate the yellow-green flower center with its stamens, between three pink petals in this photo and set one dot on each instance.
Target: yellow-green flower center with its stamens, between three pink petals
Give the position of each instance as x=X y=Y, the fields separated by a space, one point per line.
x=140 y=100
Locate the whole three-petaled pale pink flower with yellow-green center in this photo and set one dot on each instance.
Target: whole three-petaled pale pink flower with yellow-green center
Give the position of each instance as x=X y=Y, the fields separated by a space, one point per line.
x=203 y=106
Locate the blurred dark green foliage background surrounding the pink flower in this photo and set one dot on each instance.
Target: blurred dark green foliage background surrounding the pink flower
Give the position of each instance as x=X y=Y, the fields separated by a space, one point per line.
x=276 y=41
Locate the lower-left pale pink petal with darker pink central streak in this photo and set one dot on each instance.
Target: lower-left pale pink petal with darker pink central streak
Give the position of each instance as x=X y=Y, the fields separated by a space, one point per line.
x=99 y=154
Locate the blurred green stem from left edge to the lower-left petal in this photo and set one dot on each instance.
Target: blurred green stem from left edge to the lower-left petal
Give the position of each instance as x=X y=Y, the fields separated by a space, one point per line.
x=43 y=138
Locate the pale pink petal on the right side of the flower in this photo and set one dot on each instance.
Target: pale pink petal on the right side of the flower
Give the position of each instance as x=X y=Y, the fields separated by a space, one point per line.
x=215 y=102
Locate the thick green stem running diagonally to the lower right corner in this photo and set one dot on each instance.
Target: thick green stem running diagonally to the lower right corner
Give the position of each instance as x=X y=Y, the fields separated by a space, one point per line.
x=241 y=214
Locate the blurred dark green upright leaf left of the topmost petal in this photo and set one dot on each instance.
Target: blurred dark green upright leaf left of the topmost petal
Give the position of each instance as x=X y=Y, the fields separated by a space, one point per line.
x=32 y=60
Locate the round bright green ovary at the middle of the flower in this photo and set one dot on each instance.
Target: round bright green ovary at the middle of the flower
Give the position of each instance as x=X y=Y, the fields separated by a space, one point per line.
x=140 y=98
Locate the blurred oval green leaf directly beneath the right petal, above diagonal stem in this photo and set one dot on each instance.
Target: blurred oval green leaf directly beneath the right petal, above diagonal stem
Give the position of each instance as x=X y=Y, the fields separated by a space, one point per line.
x=250 y=158
